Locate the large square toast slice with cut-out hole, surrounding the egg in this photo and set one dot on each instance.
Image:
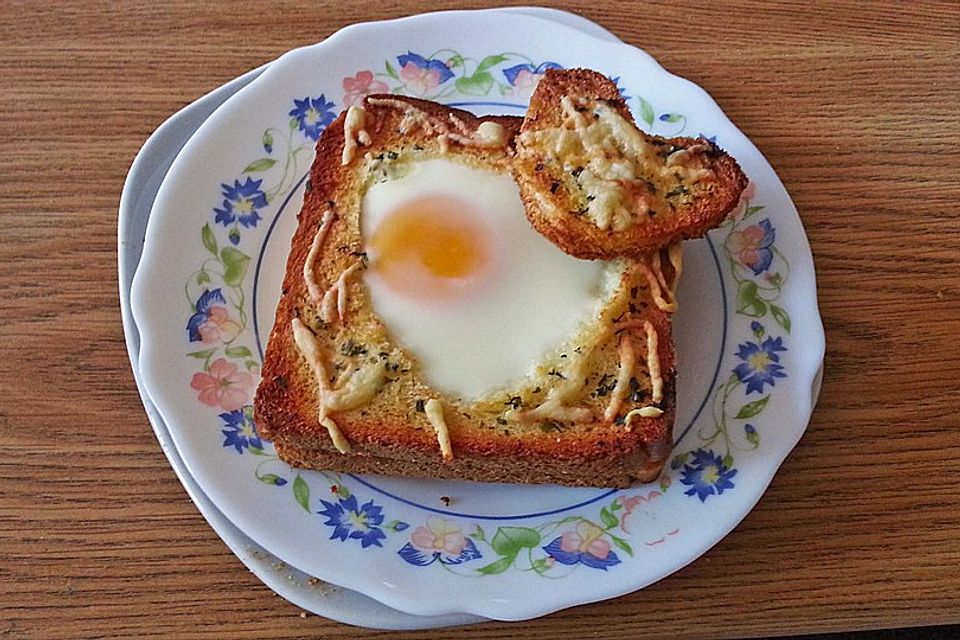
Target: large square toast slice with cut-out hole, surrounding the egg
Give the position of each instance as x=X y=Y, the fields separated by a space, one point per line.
x=338 y=393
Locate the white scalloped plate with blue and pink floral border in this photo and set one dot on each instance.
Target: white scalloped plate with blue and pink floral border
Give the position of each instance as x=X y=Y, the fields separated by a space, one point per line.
x=749 y=338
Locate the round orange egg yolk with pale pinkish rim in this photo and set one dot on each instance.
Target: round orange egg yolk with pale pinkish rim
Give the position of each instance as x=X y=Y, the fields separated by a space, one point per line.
x=433 y=246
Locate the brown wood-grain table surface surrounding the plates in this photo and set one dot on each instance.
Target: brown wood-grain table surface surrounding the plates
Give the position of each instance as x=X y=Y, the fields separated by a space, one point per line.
x=855 y=105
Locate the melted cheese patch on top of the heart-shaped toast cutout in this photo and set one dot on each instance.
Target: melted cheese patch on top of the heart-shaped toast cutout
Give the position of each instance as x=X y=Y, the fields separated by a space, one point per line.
x=614 y=163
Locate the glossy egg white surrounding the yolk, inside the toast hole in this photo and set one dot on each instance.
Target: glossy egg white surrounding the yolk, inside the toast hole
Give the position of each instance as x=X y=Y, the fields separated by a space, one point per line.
x=534 y=299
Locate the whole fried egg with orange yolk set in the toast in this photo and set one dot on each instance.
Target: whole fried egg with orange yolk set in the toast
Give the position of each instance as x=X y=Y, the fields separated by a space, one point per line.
x=461 y=280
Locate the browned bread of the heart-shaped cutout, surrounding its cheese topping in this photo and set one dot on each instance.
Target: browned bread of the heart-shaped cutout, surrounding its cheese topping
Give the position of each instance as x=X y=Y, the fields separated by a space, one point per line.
x=556 y=212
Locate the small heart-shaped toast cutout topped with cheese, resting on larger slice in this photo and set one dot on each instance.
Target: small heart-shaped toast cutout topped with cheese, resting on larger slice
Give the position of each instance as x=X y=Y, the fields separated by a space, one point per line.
x=599 y=187
